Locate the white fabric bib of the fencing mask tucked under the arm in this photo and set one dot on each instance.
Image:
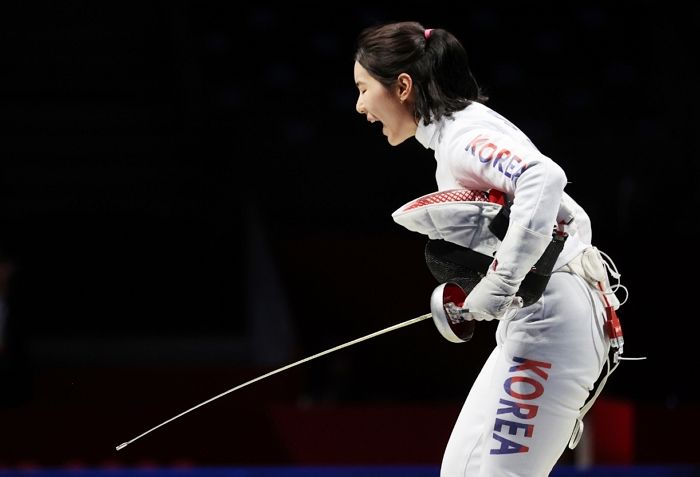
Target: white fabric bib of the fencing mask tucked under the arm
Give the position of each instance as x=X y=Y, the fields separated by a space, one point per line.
x=462 y=222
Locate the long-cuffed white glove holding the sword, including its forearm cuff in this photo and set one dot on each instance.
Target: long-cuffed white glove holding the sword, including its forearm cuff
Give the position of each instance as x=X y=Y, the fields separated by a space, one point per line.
x=494 y=296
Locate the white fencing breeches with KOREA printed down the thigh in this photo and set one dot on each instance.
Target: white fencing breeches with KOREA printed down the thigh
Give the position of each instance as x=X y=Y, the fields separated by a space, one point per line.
x=510 y=428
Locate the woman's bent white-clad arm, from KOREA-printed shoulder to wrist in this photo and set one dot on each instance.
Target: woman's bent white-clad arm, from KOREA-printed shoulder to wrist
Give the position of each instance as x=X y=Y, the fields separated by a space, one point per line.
x=535 y=185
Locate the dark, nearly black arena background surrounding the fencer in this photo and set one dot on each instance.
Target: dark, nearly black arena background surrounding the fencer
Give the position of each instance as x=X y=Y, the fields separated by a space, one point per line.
x=190 y=200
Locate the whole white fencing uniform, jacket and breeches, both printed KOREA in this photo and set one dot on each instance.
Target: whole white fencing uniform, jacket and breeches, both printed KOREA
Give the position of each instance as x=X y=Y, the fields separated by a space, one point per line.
x=521 y=410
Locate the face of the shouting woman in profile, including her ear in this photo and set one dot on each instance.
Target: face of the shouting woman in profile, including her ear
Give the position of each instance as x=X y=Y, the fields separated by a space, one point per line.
x=390 y=106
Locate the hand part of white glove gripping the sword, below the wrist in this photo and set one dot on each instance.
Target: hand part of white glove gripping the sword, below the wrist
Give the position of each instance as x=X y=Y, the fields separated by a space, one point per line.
x=488 y=301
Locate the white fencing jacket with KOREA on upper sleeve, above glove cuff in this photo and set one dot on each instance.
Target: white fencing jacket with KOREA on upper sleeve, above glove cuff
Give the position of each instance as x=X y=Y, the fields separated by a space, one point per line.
x=479 y=149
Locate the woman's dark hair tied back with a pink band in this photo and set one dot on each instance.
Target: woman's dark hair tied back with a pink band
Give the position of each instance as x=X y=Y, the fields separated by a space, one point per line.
x=436 y=61
